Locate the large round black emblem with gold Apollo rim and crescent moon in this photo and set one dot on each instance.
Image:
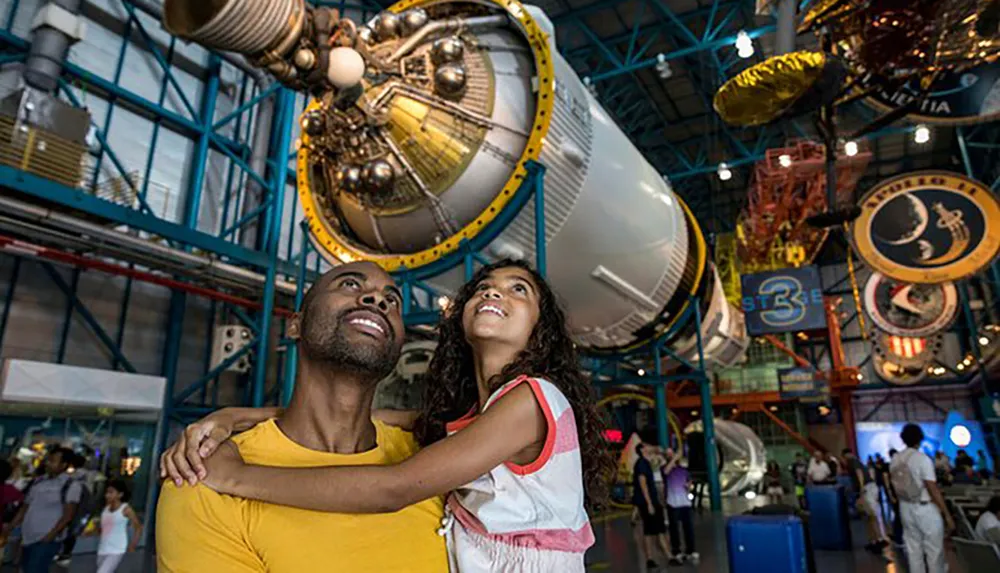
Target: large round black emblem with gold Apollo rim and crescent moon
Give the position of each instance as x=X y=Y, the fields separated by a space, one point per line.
x=927 y=227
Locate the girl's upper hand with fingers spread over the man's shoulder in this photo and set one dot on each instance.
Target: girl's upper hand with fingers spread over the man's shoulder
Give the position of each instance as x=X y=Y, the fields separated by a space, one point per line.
x=184 y=460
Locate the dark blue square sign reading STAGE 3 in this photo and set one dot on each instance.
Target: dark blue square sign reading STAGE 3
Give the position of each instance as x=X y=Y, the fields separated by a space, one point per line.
x=788 y=300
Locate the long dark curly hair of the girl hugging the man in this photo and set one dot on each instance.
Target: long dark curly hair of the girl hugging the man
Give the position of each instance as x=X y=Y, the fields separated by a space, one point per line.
x=451 y=389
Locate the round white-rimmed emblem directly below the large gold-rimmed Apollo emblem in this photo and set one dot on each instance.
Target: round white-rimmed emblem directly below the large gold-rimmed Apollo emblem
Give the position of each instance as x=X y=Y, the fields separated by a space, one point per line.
x=912 y=310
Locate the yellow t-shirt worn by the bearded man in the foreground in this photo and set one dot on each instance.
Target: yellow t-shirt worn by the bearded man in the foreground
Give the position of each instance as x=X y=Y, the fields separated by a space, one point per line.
x=198 y=530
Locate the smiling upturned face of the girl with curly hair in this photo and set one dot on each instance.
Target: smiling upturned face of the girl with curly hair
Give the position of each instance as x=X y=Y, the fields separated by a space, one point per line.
x=504 y=309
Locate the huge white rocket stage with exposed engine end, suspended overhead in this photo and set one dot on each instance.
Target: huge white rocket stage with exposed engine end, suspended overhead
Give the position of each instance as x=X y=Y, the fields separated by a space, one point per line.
x=431 y=141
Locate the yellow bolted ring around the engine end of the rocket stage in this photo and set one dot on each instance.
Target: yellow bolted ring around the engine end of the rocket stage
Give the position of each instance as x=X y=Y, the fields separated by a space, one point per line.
x=341 y=250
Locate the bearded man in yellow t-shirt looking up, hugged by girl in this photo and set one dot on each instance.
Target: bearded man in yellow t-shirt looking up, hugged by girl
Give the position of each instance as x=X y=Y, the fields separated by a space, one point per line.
x=350 y=333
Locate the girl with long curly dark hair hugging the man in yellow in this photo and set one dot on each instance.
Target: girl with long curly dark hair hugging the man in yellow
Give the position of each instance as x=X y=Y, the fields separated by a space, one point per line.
x=504 y=401
